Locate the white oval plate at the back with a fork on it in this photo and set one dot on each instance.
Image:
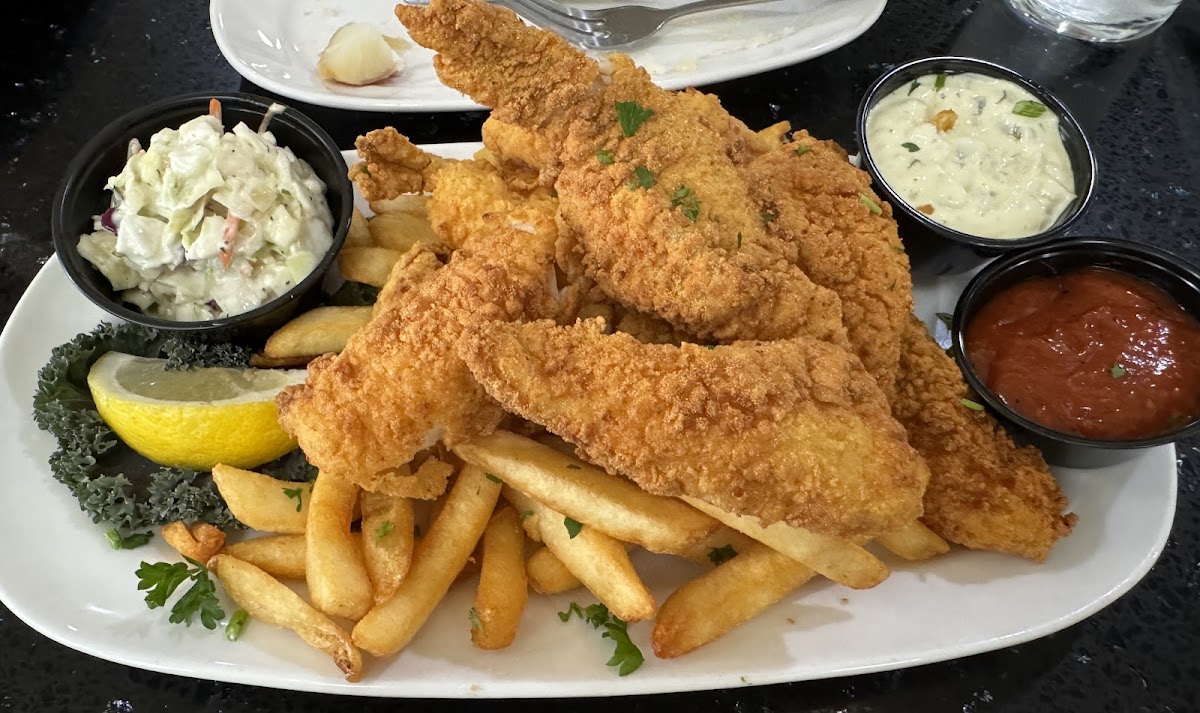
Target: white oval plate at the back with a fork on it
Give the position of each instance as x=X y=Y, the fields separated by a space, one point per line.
x=275 y=45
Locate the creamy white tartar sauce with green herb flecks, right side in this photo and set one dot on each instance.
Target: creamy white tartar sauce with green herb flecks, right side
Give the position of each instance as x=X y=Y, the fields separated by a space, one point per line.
x=977 y=154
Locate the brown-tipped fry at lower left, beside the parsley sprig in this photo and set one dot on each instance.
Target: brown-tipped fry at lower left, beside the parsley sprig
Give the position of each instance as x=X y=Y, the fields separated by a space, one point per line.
x=269 y=601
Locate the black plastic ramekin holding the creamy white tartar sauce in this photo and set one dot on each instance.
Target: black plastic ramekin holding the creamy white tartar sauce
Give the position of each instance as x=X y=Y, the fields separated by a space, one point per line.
x=935 y=249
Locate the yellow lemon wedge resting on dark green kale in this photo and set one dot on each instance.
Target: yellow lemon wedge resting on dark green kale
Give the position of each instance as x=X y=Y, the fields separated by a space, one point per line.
x=193 y=418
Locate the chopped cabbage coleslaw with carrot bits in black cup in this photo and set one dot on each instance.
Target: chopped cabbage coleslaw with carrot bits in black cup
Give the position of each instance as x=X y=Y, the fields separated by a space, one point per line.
x=208 y=224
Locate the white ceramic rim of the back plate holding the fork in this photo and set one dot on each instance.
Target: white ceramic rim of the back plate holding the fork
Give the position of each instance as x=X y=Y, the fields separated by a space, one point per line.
x=755 y=64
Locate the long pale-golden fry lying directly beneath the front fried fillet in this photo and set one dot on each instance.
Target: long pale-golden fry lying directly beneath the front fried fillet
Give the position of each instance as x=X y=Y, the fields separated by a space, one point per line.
x=589 y=495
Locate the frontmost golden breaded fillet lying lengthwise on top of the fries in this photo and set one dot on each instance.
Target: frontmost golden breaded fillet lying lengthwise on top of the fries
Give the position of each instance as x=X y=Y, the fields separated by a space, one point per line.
x=793 y=430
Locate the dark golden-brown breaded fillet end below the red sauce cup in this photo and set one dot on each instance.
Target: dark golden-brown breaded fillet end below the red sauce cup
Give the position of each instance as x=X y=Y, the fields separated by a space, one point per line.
x=985 y=493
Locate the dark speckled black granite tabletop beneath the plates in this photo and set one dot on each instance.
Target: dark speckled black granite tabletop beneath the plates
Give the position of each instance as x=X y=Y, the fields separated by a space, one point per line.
x=70 y=68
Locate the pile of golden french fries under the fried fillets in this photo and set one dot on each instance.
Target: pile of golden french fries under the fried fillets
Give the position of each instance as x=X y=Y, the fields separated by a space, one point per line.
x=523 y=513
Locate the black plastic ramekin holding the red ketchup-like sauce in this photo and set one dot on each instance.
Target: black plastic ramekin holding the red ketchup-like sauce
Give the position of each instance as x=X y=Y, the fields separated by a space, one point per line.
x=1178 y=279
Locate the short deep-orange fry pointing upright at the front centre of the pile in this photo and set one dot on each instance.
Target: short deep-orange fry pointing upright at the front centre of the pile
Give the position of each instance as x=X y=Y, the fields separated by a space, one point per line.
x=502 y=594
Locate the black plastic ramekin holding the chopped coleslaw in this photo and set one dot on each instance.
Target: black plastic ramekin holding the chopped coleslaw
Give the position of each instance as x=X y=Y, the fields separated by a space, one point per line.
x=83 y=196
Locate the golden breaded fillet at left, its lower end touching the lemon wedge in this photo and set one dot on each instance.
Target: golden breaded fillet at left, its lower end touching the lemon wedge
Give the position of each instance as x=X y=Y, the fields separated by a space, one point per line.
x=398 y=388
